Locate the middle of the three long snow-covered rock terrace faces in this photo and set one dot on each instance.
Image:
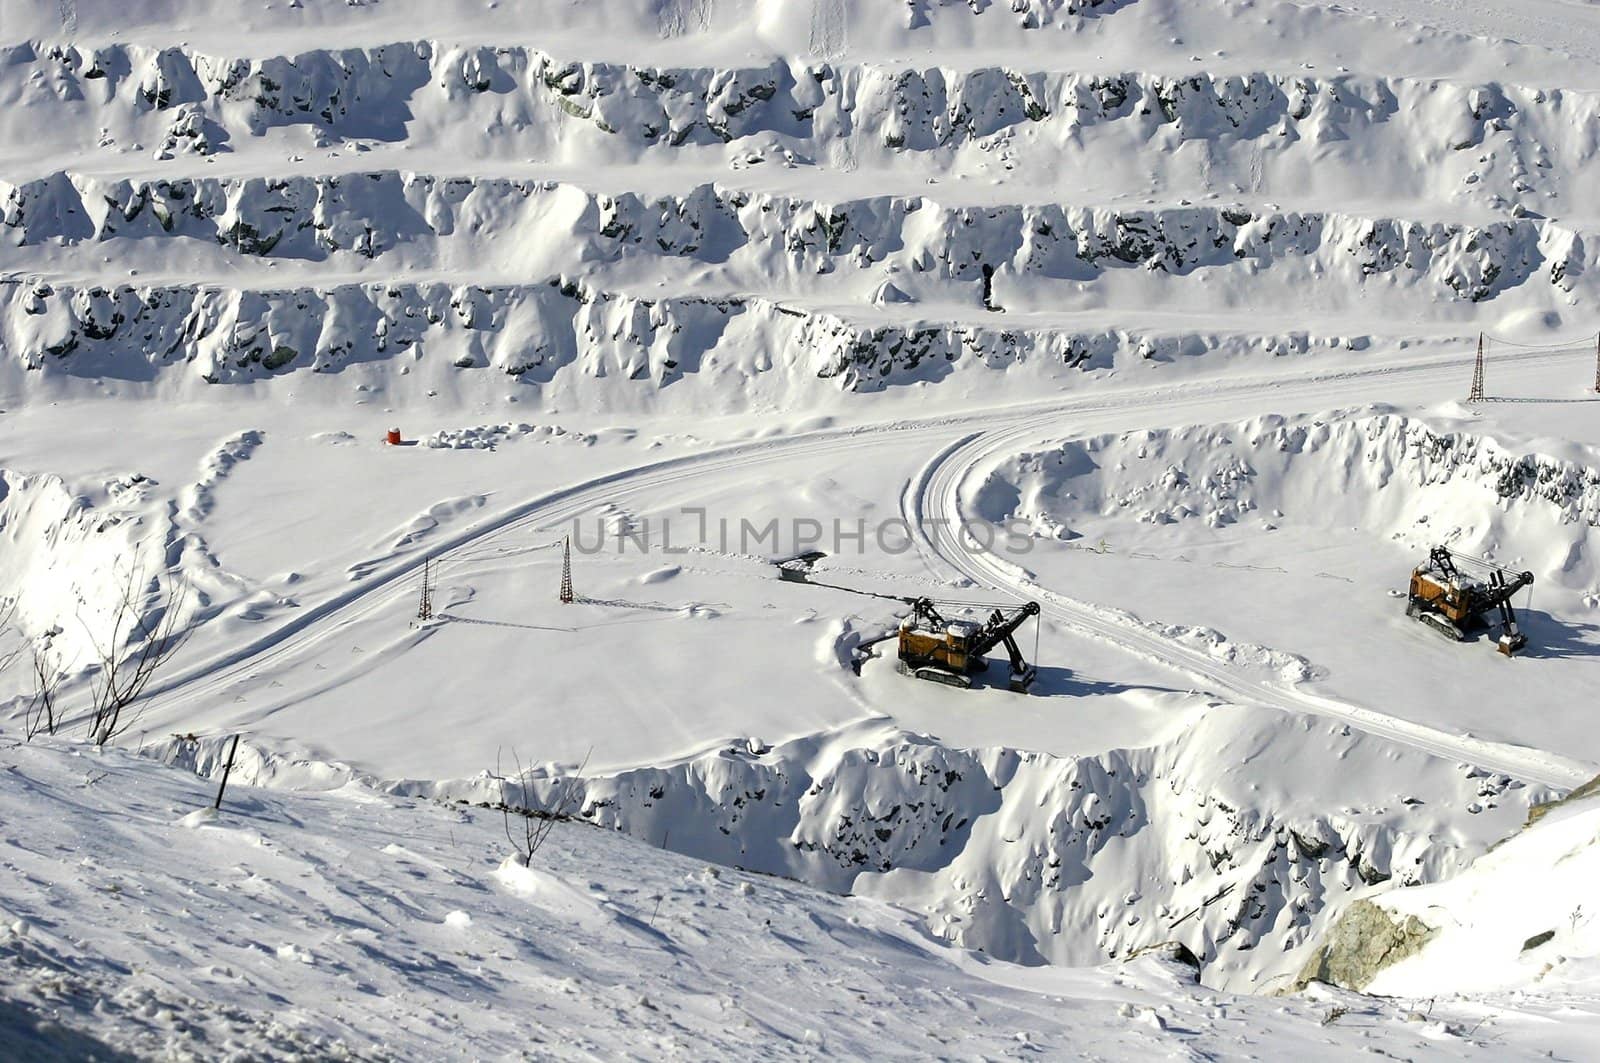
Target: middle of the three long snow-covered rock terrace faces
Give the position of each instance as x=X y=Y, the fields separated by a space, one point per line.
x=780 y=238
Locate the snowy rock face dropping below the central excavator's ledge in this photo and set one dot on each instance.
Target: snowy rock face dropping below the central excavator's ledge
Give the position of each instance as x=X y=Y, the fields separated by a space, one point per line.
x=1076 y=860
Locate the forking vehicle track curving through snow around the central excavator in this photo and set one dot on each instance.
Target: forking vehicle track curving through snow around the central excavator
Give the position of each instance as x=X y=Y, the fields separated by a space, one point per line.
x=962 y=443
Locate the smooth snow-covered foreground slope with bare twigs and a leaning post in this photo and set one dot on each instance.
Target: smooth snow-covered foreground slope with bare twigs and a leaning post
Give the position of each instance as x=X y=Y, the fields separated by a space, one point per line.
x=359 y=926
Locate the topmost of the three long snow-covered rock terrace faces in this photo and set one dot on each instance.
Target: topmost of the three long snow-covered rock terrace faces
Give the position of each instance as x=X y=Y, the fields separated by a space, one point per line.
x=186 y=102
